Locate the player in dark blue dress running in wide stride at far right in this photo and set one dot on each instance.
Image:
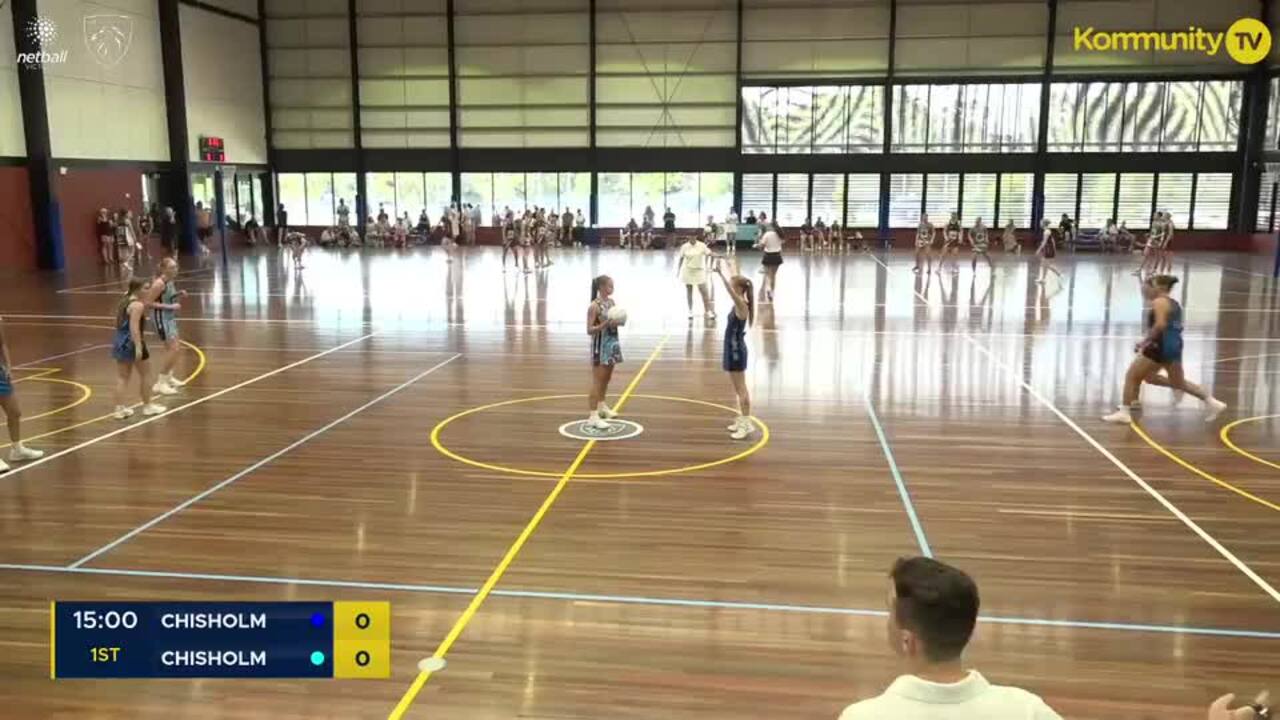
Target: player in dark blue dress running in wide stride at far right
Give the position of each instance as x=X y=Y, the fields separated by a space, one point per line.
x=1162 y=350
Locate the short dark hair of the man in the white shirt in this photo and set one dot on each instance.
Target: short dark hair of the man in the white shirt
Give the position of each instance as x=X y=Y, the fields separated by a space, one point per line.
x=938 y=603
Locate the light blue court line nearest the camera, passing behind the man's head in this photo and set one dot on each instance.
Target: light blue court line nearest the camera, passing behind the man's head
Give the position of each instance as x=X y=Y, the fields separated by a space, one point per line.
x=637 y=600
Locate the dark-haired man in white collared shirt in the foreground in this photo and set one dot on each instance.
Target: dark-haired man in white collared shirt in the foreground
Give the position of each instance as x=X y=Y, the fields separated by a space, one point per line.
x=934 y=609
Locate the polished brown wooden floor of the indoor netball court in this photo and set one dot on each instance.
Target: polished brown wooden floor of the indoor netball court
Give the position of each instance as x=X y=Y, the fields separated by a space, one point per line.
x=752 y=589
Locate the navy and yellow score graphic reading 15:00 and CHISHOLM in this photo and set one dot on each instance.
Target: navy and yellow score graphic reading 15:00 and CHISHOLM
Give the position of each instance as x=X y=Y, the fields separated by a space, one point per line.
x=220 y=640
